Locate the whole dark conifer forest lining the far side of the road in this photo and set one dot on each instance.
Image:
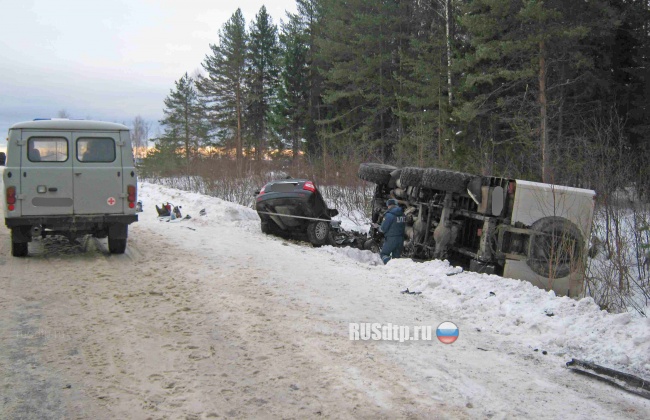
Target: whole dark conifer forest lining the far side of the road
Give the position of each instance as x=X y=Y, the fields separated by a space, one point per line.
x=553 y=91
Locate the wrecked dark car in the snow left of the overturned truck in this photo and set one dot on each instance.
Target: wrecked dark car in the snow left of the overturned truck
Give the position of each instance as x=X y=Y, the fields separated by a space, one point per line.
x=295 y=207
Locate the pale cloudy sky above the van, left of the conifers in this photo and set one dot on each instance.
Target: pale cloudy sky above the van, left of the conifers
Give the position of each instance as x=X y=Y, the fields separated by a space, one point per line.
x=106 y=60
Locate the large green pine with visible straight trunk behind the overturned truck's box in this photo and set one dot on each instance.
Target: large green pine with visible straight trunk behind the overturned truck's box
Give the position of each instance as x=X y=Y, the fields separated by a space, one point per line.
x=522 y=67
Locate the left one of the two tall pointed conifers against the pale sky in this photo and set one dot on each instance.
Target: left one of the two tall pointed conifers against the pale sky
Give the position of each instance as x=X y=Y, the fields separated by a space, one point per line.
x=223 y=89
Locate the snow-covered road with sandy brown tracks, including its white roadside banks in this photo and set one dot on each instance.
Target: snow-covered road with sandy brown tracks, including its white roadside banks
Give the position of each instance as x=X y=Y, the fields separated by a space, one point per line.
x=210 y=318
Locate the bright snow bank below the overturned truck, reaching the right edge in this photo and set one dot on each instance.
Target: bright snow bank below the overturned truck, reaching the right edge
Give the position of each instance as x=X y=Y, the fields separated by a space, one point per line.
x=538 y=319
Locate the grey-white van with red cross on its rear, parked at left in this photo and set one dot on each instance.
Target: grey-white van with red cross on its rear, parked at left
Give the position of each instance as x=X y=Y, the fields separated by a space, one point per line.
x=71 y=178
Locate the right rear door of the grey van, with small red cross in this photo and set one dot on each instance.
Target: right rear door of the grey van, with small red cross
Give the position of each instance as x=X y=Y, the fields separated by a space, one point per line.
x=98 y=173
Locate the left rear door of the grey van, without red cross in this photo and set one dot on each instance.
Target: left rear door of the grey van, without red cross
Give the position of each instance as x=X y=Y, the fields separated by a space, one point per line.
x=46 y=175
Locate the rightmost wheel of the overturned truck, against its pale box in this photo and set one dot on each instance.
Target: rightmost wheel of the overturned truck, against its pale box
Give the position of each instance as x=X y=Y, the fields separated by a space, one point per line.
x=557 y=249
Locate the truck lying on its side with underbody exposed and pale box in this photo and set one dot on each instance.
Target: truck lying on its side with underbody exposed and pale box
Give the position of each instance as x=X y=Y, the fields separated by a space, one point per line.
x=514 y=228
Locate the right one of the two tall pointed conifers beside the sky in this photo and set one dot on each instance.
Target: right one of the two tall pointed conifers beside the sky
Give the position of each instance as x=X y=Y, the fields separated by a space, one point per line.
x=262 y=79
